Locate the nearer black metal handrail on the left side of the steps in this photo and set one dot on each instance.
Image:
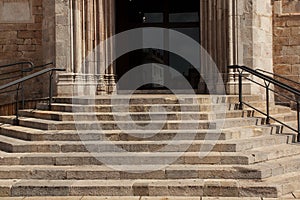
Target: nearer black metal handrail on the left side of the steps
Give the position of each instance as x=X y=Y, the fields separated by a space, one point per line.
x=26 y=78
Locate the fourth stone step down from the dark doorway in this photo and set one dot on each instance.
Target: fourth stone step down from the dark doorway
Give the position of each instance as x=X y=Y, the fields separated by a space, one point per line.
x=125 y=125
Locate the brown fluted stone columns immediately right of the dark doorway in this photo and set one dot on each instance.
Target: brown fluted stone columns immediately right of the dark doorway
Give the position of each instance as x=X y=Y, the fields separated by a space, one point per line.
x=214 y=39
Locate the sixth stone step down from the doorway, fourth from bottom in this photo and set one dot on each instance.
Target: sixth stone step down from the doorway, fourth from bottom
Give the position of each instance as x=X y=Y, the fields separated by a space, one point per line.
x=13 y=145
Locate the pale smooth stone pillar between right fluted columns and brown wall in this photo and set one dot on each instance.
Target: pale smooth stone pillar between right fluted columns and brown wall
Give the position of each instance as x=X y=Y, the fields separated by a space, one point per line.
x=251 y=40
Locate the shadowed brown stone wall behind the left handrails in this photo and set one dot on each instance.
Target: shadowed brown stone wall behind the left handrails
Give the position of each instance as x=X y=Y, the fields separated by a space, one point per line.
x=22 y=39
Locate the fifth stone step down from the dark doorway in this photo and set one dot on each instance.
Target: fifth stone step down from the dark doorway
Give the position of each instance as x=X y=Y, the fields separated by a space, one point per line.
x=31 y=134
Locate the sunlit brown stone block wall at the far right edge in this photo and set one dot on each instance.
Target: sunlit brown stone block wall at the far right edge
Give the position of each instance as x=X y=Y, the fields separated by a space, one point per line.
x=286 y=38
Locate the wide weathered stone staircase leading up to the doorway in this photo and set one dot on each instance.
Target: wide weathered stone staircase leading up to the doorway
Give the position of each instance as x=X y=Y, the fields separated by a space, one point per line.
x=147 y=145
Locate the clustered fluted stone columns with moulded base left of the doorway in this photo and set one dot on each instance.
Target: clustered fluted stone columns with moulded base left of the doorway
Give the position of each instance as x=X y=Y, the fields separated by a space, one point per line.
x=90 y=22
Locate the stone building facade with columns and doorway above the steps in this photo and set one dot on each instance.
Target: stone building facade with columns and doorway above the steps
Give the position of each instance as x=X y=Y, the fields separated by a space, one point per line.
x=257 y=33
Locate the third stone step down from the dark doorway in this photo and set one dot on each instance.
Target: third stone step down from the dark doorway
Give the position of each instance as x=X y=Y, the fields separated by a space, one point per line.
x=140 y=116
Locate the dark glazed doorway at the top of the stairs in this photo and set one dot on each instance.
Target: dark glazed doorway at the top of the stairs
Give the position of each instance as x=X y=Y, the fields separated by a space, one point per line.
x=182 y=16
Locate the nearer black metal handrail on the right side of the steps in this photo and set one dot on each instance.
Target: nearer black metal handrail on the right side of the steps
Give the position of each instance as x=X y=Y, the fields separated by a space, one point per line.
x=267 y=81
